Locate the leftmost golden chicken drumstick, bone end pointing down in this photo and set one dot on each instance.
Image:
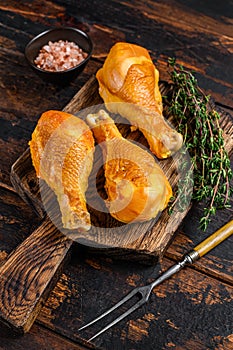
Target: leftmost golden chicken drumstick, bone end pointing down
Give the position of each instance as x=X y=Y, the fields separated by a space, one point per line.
x=62 y=149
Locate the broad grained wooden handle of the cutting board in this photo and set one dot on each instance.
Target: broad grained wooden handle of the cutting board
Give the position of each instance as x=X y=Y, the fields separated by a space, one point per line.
x=28 y=274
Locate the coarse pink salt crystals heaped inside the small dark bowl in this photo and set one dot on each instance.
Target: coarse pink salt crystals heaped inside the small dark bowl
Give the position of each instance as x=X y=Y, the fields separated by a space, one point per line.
x=59 y=56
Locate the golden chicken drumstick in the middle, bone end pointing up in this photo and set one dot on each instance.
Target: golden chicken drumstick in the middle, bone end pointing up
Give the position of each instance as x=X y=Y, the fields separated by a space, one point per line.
x=136 y=186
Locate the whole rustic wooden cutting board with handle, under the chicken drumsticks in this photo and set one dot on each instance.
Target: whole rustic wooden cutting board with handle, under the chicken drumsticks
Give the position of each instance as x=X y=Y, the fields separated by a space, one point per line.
x=31 y=270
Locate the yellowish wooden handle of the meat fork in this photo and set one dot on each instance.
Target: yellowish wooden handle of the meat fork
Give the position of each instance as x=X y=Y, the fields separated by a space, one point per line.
x=215 y=239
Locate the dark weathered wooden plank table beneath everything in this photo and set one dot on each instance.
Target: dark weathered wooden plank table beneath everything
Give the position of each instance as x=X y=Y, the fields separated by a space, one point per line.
x=192 y=310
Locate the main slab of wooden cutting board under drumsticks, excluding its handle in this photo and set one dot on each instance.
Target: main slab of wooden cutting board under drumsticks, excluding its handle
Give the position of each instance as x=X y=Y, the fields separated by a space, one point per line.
x=141 y=241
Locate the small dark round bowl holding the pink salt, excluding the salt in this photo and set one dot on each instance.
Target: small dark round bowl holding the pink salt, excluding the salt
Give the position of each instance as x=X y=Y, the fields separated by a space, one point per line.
x=64 y=33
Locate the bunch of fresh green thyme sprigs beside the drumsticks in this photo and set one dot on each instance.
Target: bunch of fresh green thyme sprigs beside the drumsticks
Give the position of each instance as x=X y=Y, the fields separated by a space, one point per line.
x=203 y=138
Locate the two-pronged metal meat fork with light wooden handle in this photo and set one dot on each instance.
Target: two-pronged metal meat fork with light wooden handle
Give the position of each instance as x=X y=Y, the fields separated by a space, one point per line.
x=145 y=291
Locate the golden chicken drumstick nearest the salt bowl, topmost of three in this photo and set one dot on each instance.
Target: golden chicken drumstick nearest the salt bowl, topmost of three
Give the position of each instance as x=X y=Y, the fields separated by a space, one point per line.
x=130 y=78
